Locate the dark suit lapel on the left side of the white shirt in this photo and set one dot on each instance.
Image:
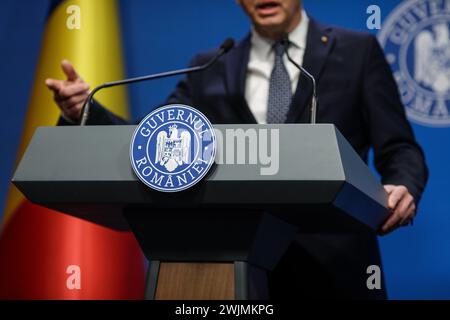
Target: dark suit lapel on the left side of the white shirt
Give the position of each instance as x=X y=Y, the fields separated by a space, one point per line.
x=235 y=75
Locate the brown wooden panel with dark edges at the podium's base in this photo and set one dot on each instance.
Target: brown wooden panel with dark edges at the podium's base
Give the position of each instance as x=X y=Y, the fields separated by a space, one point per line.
x=205 y=281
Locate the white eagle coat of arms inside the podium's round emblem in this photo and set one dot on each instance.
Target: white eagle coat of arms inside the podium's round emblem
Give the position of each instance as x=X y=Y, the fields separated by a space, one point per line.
x=174 y=149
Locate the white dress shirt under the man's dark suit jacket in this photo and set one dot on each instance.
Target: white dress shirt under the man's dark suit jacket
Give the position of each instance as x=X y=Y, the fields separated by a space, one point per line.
x=260 y=65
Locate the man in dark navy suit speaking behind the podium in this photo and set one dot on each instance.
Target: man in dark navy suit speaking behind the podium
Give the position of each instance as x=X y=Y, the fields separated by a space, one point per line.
x=254 y=82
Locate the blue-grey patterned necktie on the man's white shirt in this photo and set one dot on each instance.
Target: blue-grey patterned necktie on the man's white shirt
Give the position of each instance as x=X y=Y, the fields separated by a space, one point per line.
x=280 y=91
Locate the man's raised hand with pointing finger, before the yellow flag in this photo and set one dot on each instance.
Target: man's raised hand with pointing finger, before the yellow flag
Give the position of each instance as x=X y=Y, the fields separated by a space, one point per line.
x=71 y=94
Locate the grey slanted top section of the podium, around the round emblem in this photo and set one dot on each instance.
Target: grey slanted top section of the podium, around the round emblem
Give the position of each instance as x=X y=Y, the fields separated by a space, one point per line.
x=289 y=165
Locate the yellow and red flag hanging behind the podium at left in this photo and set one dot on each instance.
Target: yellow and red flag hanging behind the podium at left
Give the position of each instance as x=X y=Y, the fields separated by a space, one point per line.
x=46 y=254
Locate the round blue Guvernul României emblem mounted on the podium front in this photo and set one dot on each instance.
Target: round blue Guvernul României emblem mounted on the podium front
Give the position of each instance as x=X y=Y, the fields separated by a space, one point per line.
x=173 y=148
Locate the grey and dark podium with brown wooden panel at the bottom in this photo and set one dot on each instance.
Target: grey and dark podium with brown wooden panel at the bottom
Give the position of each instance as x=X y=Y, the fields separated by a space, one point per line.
x=218 y=239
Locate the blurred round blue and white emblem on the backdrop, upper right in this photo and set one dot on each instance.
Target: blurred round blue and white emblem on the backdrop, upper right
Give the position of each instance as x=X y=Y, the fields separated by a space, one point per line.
x=416 y=40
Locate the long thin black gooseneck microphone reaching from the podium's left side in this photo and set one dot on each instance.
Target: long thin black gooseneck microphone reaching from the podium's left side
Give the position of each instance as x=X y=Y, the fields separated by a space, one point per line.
x=226 y=46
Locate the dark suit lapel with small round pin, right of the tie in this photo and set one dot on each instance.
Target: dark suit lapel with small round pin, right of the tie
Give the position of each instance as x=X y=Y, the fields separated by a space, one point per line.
x=320 y=41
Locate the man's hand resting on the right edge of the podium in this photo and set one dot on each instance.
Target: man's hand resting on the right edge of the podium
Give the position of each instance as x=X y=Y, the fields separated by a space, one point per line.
x=403 y=208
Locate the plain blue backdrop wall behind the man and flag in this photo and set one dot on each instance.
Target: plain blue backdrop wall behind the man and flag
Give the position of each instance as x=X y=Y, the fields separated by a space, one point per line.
x=161 y=35
